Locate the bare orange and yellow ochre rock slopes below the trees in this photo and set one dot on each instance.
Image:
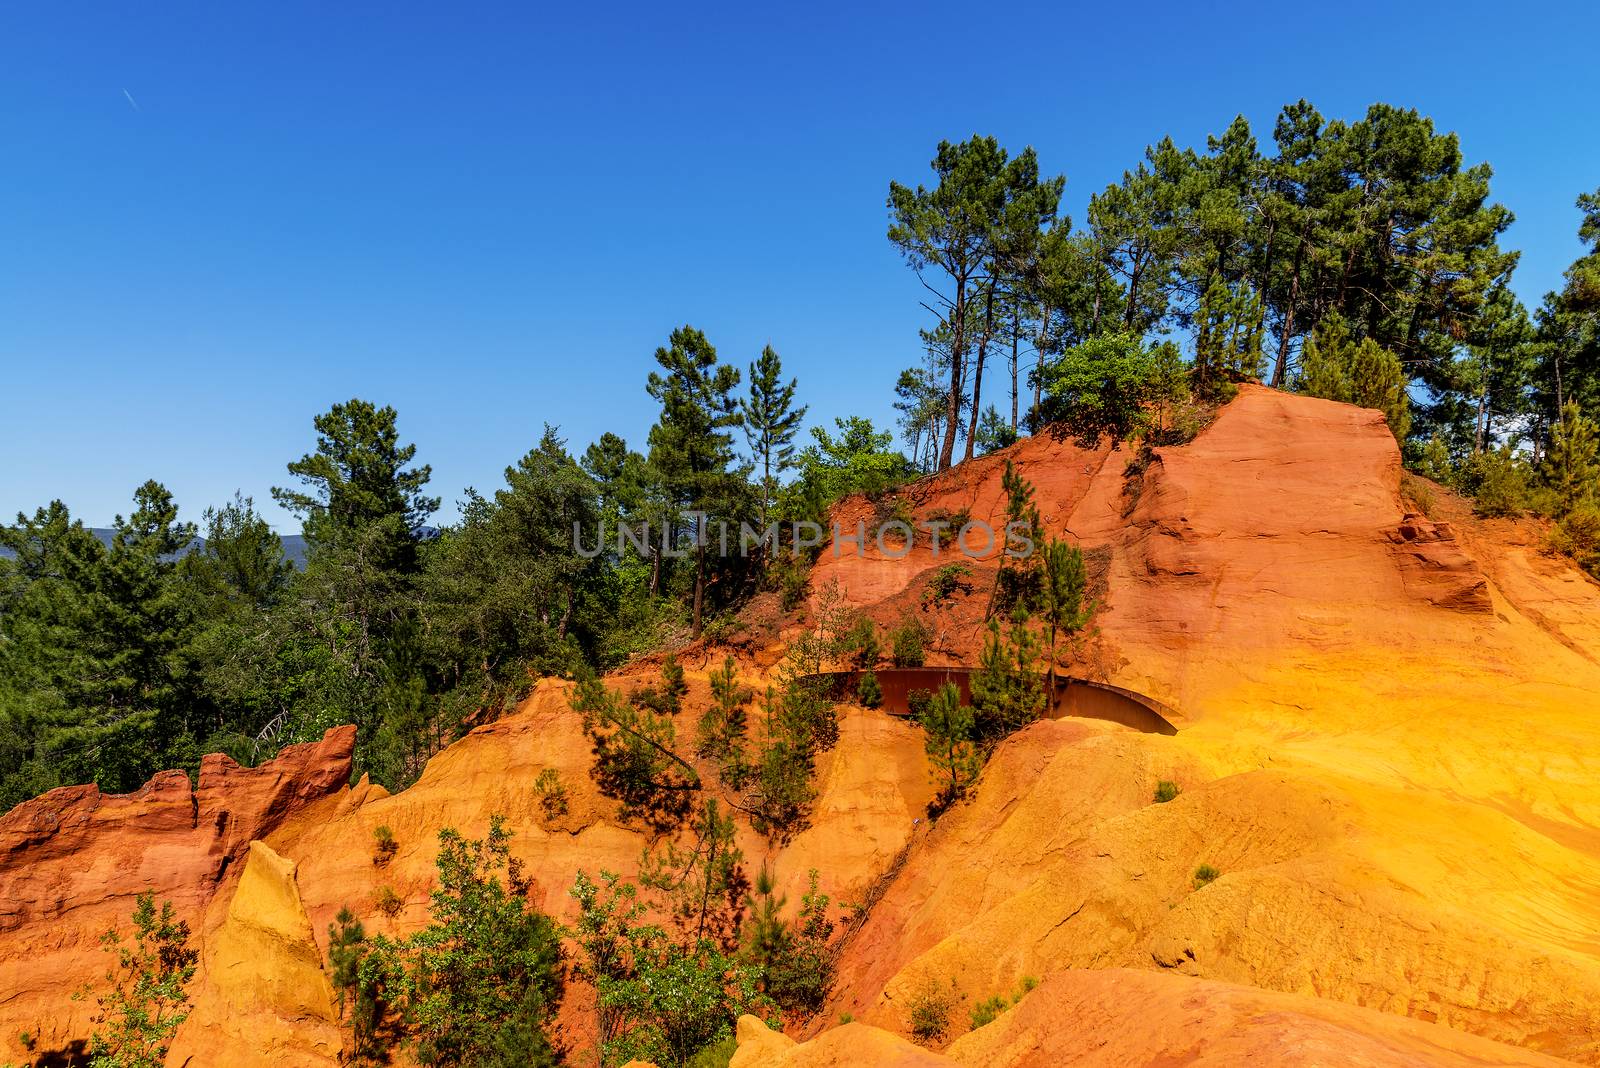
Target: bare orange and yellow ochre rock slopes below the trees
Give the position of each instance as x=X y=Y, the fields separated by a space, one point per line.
x=1385 y=851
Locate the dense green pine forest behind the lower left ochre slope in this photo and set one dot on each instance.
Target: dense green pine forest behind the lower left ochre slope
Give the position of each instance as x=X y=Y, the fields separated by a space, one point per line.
x=126 y=658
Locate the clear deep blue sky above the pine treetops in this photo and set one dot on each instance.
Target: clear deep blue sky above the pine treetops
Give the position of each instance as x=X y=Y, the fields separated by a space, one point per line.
x=217 y=220
